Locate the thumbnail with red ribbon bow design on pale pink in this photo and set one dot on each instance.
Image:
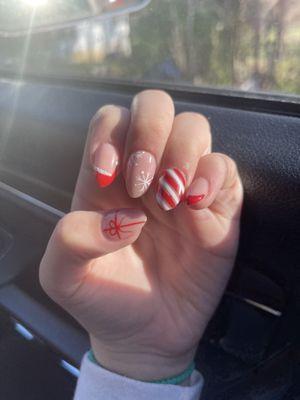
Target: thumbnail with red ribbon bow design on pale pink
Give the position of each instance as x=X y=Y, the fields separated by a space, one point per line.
x=123 y=224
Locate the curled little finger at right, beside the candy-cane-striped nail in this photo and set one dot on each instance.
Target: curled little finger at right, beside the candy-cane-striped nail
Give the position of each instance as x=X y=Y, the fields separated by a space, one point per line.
x=216 y=185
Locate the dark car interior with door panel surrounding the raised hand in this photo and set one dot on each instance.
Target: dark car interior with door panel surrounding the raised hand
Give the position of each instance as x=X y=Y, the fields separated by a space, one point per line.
x=251 y=348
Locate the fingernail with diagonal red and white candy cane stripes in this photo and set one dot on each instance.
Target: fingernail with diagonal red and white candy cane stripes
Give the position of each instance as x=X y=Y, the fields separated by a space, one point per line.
x=171 y=188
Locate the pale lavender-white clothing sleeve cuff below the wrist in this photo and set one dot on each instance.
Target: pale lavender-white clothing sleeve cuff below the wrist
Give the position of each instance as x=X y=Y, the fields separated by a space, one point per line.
x=96 y=383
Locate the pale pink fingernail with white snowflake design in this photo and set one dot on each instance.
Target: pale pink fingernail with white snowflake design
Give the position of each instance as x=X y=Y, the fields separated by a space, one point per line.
x=141 y=168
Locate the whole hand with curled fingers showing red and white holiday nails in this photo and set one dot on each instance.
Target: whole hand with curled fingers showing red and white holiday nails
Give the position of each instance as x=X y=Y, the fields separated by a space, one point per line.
x=145 y=291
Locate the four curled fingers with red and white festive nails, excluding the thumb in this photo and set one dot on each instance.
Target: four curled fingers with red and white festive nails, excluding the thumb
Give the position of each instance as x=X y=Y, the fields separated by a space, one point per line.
x=149 y=141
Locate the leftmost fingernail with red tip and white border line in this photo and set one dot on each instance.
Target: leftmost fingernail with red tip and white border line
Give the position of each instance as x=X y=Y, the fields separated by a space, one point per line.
x=105 y=164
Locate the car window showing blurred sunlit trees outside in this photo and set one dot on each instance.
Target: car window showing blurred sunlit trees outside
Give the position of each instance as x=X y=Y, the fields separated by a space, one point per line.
x=248 y=45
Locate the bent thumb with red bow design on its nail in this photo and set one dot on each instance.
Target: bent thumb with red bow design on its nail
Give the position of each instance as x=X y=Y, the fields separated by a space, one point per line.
x=79 y=238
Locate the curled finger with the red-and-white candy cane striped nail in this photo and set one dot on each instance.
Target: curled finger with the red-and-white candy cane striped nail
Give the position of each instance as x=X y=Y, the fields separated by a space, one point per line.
x=189 y=140
